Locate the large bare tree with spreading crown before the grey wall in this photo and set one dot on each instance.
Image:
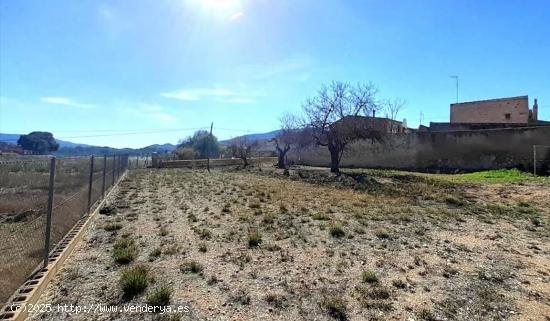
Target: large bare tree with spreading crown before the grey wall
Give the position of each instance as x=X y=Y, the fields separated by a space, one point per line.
x=332 y=117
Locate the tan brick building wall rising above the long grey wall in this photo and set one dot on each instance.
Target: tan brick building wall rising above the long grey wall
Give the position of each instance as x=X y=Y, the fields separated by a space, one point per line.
x=492 y=111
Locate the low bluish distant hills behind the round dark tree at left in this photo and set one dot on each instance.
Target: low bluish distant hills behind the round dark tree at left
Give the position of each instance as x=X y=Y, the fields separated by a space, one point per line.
x=67 y=148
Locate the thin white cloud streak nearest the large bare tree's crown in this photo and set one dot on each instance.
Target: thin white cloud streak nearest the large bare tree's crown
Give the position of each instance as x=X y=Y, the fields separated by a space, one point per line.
x=216 y=94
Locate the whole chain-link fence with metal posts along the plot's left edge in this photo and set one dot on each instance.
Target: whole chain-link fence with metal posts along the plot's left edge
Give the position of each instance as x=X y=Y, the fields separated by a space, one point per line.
x=41 y=200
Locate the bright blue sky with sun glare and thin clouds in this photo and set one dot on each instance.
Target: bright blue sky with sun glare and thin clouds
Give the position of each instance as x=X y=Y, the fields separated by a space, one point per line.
x=91 y=68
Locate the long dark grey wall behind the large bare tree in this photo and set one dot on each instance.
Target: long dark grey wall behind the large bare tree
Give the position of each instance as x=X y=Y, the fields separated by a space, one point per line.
x=440 y=151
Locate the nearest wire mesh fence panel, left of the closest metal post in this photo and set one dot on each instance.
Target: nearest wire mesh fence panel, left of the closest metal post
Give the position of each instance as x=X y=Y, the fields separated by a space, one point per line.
x=23 y=201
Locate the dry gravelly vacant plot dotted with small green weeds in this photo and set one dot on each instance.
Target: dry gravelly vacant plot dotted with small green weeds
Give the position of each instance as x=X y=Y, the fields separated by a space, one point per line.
x=304 y=244
